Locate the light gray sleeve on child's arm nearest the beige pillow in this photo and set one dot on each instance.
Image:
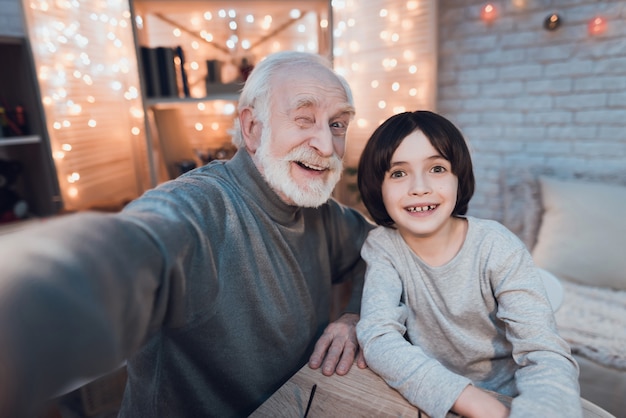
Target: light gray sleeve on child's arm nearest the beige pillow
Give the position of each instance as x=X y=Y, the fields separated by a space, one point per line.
x=547 y=376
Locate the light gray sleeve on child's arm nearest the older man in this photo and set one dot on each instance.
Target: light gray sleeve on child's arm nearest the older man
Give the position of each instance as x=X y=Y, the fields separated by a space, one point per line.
x=421 y=379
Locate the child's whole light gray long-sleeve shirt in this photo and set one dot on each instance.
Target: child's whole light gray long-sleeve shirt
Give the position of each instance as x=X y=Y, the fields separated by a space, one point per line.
x=483 y=318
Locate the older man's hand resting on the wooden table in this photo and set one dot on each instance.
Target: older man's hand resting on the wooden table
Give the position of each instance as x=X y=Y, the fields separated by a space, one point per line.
x=337 y=347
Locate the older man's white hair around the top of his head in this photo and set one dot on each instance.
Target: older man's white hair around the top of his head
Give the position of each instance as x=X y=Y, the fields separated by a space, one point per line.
x=256 y=92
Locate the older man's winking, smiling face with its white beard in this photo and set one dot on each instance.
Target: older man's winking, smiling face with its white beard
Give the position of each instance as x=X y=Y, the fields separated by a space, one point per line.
x=303 y=143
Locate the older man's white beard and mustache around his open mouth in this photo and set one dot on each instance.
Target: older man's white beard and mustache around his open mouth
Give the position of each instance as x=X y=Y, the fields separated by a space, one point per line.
x=277 y=172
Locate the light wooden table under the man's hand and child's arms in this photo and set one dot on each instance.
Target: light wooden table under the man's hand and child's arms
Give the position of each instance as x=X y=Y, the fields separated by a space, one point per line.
x=360 y=393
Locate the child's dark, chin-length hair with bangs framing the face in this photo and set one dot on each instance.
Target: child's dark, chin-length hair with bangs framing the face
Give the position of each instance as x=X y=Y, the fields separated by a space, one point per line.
x=376 y=158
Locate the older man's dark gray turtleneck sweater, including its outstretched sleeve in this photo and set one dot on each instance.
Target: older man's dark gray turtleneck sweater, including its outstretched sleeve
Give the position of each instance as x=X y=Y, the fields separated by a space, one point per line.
x=216 y=288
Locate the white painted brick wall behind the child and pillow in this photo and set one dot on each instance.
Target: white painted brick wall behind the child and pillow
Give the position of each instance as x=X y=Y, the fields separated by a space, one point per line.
x=524 y=96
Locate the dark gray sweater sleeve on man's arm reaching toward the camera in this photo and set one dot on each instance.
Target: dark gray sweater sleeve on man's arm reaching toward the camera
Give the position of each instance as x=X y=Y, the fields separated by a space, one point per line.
x=78 y=295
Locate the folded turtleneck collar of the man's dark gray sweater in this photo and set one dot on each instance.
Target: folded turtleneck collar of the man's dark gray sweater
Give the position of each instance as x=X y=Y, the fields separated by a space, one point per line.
x=250 y=181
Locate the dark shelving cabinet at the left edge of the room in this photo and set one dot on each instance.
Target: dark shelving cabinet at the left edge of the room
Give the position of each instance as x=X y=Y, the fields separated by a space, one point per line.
x=37 y=182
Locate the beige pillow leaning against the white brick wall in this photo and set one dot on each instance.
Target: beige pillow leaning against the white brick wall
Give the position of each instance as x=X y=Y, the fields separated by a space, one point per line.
x=582 y=237
